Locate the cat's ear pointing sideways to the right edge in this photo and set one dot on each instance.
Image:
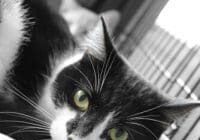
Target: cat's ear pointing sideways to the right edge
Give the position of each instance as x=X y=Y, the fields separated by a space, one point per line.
x=177 y=108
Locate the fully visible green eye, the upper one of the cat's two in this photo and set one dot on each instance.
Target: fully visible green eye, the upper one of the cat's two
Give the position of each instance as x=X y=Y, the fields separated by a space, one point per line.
x=81 y=100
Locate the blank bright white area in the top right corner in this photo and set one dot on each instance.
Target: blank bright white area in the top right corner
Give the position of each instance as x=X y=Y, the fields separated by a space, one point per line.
x=182 y=19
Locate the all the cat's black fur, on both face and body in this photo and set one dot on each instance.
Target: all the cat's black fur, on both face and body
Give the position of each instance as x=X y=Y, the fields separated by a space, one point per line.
x=123 y=92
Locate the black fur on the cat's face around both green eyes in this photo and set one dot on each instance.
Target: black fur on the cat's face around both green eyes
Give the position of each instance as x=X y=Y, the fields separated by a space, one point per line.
x=123 y=91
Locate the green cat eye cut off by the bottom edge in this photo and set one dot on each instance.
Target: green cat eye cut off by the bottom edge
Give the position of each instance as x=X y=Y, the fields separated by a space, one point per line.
x=118 y=134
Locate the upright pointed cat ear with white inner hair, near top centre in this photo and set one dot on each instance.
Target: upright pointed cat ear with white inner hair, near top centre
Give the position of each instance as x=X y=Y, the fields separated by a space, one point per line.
x=98 y=42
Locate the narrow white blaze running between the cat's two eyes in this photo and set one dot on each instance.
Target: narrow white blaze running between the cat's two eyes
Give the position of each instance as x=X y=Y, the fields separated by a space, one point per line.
x=97 y=131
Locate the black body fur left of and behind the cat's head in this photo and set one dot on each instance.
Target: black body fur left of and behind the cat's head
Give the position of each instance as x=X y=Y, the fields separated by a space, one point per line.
x=49 y=37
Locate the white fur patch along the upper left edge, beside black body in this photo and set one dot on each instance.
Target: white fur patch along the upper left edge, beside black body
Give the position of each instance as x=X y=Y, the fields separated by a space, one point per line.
x=12 y=26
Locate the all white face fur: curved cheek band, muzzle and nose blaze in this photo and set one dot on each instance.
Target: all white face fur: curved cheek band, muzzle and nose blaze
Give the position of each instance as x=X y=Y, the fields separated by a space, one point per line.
x=58 y=128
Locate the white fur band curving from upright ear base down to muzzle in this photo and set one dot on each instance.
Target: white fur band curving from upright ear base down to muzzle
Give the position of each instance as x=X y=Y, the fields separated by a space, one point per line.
x=61 y=116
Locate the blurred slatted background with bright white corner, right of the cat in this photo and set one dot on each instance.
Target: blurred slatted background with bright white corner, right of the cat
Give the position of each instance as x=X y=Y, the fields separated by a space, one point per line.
x=161 y=40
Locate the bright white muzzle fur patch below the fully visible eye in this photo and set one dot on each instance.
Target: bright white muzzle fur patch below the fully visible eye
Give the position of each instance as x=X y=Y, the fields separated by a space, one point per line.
x=58 y=129
